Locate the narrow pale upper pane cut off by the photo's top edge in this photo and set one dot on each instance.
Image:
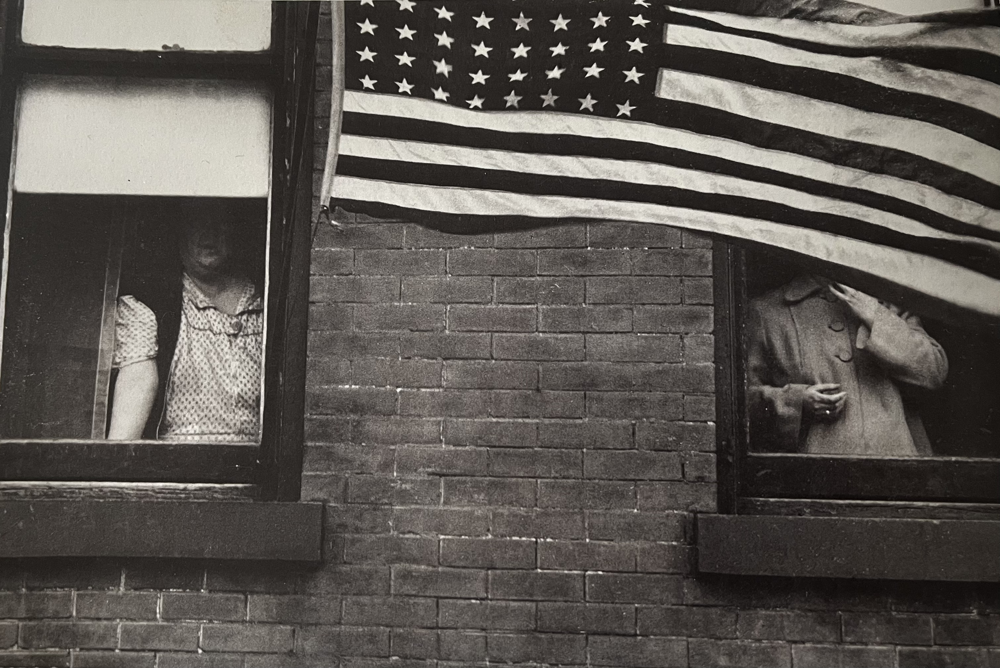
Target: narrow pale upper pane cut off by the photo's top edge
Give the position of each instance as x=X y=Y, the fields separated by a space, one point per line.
x=149 y=25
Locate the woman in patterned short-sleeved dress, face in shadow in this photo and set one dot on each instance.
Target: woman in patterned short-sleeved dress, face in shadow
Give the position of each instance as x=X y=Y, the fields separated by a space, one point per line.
x=212 y=387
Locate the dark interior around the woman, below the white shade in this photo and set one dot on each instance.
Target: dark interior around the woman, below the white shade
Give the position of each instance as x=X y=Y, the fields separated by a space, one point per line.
x=70 y=258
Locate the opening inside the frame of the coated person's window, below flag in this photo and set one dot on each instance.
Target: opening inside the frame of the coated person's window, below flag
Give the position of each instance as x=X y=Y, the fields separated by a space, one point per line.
x=837 y=369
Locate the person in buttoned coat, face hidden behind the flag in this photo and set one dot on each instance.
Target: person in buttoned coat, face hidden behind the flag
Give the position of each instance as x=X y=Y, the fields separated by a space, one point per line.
x=828 y=370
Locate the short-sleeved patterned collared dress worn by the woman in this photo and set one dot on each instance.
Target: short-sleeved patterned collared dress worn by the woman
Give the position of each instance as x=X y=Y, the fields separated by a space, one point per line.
x=214 y=384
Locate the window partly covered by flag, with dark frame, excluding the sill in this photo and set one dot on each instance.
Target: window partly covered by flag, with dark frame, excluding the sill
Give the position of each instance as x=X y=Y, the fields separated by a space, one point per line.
x=925 y=430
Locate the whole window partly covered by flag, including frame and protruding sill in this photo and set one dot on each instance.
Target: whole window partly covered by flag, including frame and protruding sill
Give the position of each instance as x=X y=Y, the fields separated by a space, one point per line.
x=807 y=493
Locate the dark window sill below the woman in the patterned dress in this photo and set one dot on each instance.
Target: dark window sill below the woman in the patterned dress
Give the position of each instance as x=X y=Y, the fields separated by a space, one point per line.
x=166 y=529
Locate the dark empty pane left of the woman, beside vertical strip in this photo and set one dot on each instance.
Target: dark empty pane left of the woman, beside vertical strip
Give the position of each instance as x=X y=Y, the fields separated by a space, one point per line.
x=53 y=318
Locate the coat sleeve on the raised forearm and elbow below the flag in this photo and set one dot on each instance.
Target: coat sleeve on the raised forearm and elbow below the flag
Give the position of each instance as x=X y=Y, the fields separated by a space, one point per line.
x=902 y=347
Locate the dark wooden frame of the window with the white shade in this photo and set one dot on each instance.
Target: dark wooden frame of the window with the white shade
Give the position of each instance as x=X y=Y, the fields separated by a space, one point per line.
x=272 y=470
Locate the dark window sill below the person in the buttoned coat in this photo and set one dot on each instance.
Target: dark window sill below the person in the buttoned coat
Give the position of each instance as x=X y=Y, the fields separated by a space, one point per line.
x=865 y=548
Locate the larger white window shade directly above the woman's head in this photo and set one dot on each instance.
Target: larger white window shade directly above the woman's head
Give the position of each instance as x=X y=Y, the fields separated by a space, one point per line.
x=143 y=137
